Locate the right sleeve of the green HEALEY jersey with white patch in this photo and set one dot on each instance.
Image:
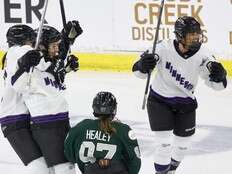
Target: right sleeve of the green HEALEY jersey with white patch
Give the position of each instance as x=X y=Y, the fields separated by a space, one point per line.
x=132 y=152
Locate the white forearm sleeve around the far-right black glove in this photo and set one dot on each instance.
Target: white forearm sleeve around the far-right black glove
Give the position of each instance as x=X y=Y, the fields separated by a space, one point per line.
x=204 y=74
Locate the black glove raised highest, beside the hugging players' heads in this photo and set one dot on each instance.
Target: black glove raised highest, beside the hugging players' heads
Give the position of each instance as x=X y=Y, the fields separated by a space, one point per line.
x=73 y=31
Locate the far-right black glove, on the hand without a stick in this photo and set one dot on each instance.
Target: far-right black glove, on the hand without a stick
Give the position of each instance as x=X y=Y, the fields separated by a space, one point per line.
x=217 y=72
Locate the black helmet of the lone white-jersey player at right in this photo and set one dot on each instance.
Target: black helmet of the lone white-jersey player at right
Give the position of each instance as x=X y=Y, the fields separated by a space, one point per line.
x=185 y=25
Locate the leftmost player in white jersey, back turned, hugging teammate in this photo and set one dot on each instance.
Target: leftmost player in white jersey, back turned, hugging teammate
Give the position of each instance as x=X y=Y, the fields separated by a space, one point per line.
x=14 y=114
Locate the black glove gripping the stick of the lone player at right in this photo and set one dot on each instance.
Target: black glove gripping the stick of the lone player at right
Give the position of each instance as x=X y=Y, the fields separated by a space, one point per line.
x=147 y=62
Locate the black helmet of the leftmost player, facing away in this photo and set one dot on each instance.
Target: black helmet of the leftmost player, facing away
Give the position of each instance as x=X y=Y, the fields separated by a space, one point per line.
x=20 y=34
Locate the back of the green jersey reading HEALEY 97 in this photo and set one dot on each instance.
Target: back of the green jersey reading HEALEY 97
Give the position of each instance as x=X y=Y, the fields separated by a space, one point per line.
x=92 y=143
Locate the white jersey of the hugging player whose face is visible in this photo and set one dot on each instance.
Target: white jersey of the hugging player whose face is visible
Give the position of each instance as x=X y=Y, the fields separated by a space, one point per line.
x=44 y=96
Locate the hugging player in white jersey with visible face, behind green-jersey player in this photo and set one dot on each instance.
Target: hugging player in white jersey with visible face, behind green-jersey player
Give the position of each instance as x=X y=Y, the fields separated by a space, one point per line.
x=45 y=99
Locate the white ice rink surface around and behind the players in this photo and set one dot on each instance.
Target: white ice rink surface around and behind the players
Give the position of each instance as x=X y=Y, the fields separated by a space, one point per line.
x=211 y=149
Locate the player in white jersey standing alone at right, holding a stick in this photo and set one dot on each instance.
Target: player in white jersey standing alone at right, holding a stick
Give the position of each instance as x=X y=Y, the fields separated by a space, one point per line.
x=171 y=102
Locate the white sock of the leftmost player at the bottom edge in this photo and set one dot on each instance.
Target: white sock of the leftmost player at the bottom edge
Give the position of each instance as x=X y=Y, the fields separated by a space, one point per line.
x=38 y=166
